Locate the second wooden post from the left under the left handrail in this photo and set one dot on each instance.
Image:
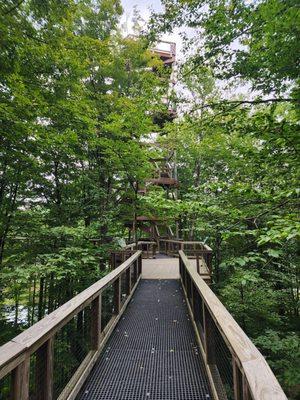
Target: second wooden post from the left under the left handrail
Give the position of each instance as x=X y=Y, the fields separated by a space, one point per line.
x=44 y=371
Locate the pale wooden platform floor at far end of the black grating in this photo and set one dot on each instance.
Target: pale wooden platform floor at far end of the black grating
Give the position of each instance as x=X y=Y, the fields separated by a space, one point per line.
x=168 y=268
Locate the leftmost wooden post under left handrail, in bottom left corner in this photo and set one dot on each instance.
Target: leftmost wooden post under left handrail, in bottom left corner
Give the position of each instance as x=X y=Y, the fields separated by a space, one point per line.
x=20 y=381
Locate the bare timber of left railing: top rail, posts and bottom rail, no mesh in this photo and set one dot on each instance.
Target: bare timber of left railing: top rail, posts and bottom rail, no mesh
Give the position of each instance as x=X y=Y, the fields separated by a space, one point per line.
x=15 y=355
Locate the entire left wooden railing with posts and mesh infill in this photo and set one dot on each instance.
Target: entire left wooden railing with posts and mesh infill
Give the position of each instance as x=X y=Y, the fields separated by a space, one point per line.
x=52 y=358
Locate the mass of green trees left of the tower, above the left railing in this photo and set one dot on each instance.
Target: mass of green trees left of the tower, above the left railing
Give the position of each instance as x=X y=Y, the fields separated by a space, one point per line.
x=76 y=99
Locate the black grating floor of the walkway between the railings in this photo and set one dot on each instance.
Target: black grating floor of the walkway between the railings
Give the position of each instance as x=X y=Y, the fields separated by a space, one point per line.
x=152 y=353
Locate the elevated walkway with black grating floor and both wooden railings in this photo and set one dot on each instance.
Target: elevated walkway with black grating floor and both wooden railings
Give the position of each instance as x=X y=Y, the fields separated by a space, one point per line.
x=131 y=338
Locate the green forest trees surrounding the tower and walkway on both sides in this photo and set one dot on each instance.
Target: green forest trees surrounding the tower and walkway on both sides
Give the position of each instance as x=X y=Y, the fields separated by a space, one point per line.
x=78 y=100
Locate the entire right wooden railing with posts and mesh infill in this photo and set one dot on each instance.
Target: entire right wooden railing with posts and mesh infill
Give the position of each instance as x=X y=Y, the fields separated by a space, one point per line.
x=236 y=368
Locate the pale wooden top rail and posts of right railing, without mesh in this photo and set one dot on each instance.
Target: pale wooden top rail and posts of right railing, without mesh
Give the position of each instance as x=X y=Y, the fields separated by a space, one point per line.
x=259 y=379
